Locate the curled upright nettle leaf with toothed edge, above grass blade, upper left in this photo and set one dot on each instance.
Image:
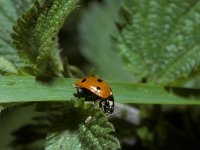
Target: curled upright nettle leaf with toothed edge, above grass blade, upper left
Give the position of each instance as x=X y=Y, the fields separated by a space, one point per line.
x=35 y=34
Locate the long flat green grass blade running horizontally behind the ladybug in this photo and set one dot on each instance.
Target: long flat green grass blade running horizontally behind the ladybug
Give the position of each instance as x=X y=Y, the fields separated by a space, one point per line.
x=30 y=89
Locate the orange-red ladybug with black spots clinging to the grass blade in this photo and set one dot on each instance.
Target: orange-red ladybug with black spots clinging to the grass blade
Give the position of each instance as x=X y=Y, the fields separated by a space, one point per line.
x=93 y=88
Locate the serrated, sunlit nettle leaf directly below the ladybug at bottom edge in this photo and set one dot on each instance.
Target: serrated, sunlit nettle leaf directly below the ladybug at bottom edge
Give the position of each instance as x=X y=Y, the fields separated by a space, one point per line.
x=92 y=131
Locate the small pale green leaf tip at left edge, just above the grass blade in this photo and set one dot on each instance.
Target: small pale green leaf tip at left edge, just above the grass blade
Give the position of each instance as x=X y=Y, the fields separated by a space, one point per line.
x=7 y=67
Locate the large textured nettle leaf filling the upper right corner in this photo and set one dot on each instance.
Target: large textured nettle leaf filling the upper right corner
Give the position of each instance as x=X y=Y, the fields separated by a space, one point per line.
x=159 y=40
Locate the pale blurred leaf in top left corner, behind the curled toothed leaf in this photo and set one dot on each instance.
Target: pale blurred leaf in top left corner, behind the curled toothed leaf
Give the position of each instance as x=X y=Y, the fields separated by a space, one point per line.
x=9 y=10
